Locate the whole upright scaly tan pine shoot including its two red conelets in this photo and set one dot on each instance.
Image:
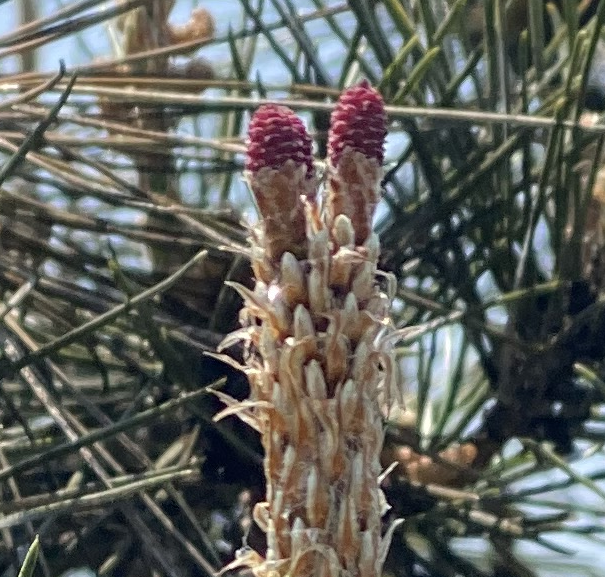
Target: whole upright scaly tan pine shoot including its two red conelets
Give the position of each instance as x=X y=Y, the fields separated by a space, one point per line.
x=319 y=354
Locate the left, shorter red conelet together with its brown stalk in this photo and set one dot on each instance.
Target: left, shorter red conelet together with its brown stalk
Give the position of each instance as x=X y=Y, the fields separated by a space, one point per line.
x=279 y=169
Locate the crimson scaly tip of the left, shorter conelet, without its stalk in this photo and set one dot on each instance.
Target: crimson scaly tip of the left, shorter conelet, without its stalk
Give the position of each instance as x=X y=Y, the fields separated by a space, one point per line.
x=275 y=135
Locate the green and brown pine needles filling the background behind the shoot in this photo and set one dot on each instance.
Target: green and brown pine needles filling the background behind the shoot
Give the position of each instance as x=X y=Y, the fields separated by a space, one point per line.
x=122 y=216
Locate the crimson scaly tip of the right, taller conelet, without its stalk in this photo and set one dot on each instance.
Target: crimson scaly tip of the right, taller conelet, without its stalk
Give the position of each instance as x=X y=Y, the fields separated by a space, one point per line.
x=359 y=121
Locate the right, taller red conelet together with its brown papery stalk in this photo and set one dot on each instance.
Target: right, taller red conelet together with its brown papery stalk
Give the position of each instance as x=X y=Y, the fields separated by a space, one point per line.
x=355 y=156
